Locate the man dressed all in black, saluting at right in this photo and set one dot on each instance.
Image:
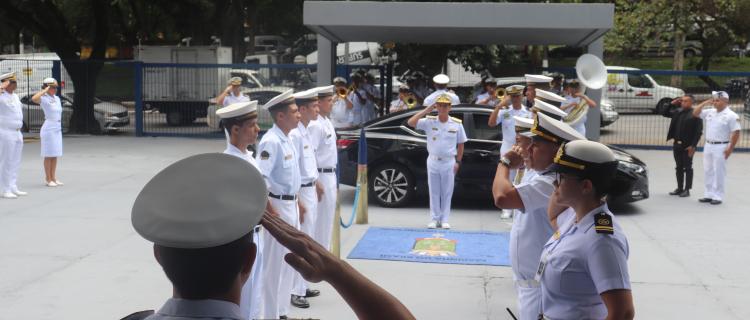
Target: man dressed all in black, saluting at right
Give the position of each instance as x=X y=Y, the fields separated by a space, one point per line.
x=685 y=132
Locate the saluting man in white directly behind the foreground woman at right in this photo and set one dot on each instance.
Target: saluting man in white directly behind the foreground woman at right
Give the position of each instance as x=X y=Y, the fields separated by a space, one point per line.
x=531 y=227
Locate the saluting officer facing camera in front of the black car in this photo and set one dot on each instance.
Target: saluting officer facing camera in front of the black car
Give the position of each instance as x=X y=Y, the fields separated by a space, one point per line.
x=445 y=147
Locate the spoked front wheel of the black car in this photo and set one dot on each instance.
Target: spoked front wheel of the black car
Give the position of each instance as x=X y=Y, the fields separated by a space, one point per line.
x=391 y=185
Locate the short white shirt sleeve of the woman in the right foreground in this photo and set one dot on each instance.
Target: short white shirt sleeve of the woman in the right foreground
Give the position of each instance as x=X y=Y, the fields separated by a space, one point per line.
x=608 y=265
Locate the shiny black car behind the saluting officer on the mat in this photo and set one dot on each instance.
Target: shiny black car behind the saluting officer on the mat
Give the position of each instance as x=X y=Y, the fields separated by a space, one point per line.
x=397 y=157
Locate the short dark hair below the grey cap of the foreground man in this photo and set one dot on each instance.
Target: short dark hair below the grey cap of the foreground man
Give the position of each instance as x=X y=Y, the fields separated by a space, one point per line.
x=205 y=273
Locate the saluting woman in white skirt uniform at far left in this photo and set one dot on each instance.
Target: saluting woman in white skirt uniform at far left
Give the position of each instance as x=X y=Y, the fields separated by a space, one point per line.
x=51 y=132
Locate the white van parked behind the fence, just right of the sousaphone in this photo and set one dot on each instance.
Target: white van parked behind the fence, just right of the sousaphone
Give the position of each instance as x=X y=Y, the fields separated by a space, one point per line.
x=638 y=92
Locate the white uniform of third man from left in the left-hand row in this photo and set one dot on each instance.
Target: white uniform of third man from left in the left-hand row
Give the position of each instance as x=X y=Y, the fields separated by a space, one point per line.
x=308 y=196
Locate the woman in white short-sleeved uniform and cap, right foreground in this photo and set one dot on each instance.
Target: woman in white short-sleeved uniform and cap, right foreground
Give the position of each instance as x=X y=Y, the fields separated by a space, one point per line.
x=583 y=269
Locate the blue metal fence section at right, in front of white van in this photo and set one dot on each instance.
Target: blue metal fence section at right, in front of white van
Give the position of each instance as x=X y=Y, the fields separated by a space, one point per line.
x=640 y=98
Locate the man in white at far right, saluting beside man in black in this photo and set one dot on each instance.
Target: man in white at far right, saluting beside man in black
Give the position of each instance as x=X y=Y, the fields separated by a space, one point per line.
x=722 y=134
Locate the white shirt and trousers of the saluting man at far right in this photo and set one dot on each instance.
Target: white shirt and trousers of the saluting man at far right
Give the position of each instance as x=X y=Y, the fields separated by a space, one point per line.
x=719 y=127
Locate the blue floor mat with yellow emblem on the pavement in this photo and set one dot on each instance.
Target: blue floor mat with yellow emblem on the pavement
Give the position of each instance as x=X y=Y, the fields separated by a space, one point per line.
x=433 y=246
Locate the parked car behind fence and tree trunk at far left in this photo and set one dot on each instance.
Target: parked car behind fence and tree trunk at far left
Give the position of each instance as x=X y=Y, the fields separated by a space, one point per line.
x=110 y=116
